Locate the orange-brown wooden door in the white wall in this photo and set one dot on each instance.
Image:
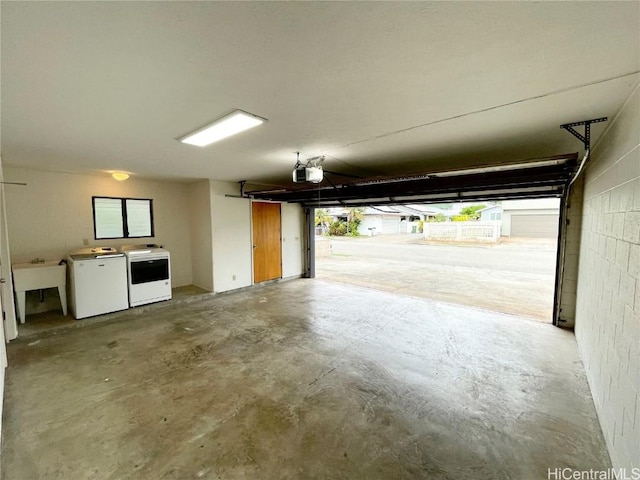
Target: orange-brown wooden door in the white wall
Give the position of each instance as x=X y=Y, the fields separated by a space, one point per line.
x=267 y=241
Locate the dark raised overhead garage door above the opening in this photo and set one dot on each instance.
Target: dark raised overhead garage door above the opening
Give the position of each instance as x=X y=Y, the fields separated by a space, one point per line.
x=539 y=178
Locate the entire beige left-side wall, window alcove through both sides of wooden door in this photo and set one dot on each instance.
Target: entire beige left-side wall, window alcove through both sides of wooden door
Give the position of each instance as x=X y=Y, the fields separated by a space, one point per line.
x=206 y=229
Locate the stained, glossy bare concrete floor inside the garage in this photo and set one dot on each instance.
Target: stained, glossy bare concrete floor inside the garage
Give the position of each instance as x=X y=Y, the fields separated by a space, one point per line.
x=301 y=379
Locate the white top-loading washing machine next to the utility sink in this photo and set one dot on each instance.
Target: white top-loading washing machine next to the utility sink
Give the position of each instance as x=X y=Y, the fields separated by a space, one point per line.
x=97 y=281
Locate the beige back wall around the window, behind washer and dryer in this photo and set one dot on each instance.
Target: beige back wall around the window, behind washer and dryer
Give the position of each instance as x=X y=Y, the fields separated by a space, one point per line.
x=53 y=214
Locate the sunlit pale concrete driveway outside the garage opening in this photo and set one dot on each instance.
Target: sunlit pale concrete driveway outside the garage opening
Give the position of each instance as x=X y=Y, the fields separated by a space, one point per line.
x=515 y=276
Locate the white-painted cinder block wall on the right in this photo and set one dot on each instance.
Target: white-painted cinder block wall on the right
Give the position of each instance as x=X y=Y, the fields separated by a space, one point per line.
x=608 y=290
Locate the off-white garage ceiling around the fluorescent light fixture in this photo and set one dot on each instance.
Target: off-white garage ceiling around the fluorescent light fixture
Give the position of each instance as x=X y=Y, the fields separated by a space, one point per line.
x=385 y=88
